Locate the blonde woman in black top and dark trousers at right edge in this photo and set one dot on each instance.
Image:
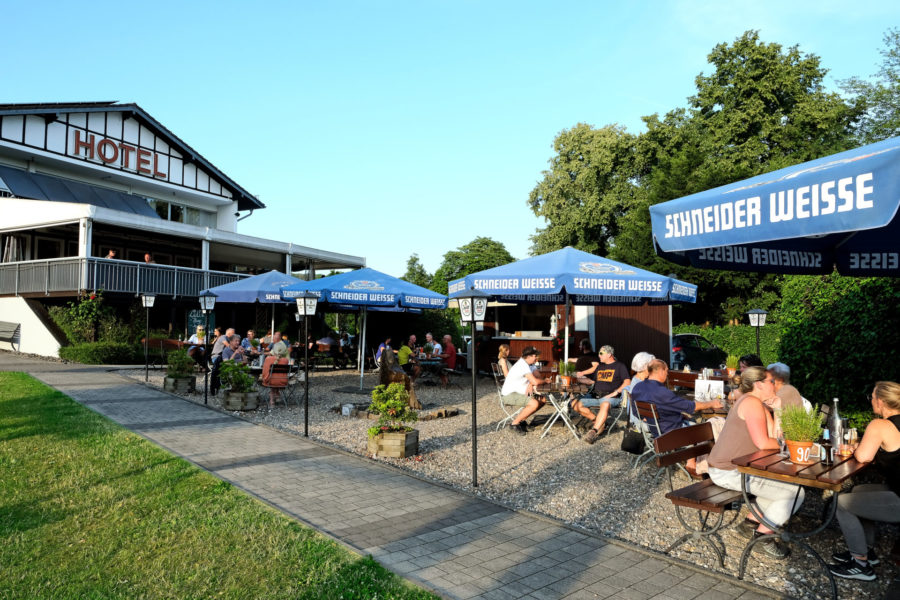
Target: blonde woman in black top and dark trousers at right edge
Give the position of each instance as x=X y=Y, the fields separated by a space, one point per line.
x=857 y=511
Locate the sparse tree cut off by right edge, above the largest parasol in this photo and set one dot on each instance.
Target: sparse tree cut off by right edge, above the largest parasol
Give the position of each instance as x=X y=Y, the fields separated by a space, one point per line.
x=879 y=100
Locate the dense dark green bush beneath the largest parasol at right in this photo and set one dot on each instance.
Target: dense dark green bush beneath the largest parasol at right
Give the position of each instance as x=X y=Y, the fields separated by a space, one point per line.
x=839 y=336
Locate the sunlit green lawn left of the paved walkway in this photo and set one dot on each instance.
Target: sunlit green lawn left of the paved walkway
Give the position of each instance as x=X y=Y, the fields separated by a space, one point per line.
x=90 y=510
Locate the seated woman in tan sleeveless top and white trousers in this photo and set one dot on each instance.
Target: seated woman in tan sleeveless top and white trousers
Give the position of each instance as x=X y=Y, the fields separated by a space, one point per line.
x=747 y=429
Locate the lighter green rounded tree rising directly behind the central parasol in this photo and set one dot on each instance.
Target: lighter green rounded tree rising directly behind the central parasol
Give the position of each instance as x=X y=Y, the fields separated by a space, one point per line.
x=587 y=190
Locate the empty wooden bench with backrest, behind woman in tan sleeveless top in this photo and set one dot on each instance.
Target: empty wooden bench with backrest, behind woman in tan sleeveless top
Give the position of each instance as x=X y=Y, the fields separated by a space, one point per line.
x=675 y=447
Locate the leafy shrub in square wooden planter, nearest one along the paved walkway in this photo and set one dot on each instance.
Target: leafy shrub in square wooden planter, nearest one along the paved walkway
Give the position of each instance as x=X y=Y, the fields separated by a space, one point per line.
x=391 y=436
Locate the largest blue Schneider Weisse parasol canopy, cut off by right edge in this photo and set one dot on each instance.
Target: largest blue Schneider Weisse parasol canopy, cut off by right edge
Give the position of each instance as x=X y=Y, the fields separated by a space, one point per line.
x=837 y=211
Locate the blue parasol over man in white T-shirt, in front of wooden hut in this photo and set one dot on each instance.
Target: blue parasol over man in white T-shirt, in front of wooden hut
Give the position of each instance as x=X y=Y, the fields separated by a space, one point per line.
x=573 y=275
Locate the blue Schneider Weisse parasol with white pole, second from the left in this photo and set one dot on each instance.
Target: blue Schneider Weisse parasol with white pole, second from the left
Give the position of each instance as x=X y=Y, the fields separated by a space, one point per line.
x=368 y=289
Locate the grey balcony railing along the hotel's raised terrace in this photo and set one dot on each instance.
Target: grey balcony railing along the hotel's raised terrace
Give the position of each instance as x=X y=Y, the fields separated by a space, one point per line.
x=76 y=274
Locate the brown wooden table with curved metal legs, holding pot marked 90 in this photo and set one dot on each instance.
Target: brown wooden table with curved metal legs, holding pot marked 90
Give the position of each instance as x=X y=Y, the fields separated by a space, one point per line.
x=769 y=464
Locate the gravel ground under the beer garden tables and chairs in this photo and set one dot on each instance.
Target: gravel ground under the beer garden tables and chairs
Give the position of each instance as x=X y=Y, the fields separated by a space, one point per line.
x=592 y=487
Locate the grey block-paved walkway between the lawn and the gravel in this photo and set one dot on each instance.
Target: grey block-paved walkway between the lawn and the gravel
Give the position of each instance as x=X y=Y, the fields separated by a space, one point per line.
x=447 y=541
